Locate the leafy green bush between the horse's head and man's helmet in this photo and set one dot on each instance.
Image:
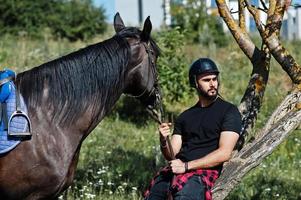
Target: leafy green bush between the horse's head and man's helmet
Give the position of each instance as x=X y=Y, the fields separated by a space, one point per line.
x=173 y=66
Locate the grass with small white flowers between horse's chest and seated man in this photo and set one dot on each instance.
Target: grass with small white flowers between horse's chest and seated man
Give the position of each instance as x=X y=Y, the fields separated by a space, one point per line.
x=118 y=157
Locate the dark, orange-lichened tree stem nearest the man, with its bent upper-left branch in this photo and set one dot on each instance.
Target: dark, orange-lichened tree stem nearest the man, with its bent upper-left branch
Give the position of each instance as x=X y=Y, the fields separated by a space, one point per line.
x=260 y=59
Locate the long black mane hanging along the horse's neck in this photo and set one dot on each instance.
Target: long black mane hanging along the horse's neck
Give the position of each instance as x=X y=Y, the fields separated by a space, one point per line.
x=87 y=75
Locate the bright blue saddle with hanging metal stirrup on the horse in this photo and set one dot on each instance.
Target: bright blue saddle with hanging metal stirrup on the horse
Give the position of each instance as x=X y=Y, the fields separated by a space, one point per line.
x=6 y=88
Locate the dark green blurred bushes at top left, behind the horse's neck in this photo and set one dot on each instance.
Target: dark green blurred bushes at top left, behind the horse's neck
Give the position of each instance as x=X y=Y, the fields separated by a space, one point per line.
x=74 y=19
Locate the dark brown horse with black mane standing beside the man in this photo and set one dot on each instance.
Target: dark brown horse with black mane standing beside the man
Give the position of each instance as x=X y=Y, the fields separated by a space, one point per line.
x=67 y=98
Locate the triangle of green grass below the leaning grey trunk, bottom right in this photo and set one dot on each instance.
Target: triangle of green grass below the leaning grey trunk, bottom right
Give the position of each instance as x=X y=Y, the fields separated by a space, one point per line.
x=278 y=177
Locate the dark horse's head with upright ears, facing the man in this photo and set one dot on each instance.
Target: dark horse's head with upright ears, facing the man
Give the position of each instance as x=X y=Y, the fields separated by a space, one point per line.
x=141 y=79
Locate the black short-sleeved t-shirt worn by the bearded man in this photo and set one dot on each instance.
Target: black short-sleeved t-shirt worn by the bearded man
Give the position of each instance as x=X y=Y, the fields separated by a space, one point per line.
x=200 y=128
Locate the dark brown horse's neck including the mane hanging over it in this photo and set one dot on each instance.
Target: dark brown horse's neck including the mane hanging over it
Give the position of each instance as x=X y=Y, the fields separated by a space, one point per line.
x=81 y=105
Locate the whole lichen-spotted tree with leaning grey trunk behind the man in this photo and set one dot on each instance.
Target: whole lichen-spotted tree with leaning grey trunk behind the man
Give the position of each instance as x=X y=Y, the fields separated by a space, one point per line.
x=287 y=115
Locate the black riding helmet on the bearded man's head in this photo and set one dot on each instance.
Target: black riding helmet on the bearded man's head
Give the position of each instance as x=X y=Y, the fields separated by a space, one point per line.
x=201 y=66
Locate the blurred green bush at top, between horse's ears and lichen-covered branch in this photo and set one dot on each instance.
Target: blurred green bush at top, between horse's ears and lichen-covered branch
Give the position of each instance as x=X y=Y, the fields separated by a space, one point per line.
x=199 y=26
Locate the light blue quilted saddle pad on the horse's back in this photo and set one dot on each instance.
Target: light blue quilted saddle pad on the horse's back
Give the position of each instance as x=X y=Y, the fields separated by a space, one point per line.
x=18 y=124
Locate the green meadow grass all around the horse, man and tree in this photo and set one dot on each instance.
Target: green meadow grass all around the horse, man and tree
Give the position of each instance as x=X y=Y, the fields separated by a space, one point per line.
x=120 y=156
